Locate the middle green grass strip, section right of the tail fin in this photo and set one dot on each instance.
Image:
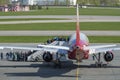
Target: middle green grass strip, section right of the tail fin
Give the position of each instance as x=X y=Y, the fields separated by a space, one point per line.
x=100 y=26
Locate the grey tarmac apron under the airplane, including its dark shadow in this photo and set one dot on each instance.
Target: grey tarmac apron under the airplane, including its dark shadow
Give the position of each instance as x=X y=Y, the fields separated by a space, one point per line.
x=10 y=70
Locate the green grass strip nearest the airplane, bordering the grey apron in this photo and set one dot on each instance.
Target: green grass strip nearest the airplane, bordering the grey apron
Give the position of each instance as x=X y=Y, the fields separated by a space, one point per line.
x=39 y=39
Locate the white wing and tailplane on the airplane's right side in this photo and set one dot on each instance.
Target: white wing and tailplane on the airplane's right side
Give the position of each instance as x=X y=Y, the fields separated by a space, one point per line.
x=101 y=48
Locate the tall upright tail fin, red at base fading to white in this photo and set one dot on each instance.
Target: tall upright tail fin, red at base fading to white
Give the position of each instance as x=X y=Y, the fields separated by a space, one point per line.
x=77 y=28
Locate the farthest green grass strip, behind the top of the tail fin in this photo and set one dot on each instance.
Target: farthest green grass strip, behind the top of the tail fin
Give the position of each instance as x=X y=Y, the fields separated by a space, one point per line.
x=67 y=11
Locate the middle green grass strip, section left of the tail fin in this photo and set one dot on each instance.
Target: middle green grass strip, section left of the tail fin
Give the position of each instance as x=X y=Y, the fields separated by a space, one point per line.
x=38 y=26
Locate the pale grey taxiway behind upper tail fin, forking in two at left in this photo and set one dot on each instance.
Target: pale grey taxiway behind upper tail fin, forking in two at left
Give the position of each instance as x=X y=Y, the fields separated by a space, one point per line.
x=72 y=17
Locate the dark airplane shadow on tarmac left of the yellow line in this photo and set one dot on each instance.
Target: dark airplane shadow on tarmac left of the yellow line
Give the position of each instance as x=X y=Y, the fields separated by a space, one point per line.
x=45 y=70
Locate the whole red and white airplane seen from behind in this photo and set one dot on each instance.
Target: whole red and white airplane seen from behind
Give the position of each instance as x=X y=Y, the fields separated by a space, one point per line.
x=78 y=48
